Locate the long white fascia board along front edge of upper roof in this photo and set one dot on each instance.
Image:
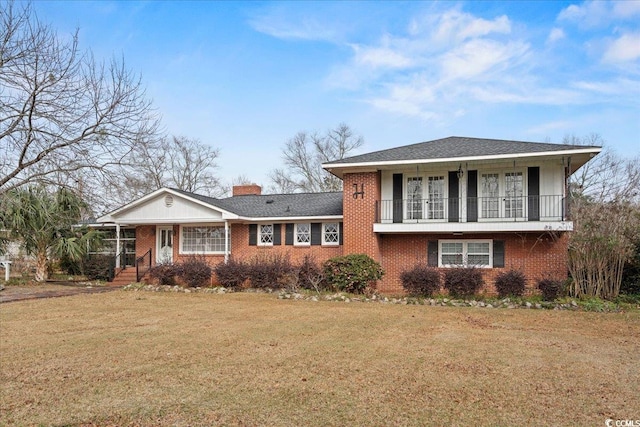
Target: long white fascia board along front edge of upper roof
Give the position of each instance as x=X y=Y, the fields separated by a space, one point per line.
x=589 y=150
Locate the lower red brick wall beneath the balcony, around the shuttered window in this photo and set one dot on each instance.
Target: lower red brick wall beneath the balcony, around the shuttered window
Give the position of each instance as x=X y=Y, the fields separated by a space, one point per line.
x=535 y=254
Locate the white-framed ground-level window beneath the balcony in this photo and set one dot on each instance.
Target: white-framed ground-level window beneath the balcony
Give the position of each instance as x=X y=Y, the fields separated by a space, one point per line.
x=465 y=253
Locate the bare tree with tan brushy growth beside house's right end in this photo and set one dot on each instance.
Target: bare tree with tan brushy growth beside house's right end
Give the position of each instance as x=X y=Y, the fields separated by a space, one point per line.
x=606 y=213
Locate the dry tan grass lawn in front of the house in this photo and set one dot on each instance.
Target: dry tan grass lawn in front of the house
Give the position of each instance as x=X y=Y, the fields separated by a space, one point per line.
x=148 y=359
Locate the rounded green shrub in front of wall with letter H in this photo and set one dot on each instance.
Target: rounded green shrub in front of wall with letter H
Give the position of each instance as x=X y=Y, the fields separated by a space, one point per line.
x=352 y=273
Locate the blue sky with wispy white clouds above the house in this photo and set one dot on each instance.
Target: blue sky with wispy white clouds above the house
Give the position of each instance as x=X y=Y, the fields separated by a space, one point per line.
x=245 y=77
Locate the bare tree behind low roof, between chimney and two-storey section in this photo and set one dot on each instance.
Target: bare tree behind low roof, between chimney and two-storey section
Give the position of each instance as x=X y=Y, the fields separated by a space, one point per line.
x=303 y=156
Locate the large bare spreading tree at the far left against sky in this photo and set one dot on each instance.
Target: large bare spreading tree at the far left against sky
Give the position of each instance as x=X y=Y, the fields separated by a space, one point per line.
x=62 y=112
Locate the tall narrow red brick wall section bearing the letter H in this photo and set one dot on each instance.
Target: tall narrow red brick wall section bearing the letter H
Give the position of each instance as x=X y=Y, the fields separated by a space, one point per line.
x=359 y=214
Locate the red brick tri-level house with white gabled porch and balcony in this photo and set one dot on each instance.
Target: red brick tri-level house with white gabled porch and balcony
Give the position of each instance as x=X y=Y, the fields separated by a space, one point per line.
x=452 y=202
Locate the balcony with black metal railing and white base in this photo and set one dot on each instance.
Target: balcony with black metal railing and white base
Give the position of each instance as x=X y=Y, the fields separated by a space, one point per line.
x=473 y=214
